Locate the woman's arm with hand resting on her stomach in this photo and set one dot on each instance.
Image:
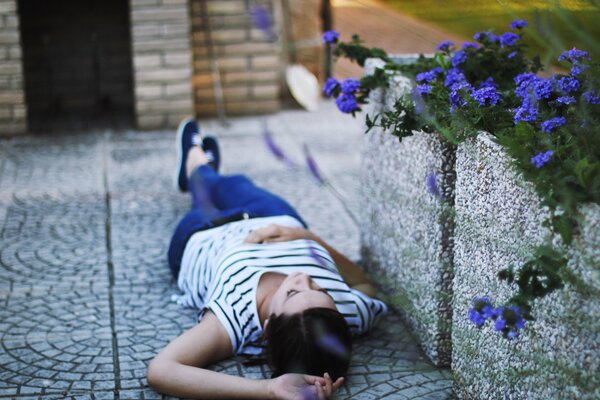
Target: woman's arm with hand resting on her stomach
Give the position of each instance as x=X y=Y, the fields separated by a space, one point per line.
x=352 y=274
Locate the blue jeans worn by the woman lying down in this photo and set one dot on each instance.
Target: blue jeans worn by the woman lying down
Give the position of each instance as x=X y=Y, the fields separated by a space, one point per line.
x=216 y=196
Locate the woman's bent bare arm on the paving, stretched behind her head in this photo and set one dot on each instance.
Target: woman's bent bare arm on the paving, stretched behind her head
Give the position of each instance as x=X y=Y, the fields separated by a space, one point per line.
x=176 y=370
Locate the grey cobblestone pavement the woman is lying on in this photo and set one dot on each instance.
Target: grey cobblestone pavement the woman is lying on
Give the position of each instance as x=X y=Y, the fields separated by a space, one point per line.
x=84 y=285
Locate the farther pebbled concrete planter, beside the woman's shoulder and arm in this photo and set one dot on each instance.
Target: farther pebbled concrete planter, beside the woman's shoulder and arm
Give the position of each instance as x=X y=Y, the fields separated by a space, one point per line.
x=406 y=234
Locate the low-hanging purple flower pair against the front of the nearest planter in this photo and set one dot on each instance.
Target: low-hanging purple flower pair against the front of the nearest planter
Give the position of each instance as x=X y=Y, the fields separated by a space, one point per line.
x=507 y=320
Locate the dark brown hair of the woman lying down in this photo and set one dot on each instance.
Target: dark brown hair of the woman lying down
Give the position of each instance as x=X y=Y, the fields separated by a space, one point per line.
x=313 y=342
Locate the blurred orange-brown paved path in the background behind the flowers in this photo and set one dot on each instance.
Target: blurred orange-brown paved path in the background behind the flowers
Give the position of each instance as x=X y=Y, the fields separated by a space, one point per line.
x=380 y=26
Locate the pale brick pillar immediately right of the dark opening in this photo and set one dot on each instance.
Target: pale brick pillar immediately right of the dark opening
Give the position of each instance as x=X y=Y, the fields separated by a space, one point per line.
x=162 y=62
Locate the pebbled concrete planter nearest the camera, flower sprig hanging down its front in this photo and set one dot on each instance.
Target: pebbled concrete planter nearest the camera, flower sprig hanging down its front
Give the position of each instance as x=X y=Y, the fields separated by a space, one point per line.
x=498 y=222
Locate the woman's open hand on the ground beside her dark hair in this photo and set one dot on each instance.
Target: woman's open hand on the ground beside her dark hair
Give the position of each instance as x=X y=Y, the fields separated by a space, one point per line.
x=303 y=387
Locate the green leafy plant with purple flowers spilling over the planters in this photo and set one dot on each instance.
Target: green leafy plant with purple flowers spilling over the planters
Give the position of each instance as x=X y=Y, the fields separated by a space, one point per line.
x=549 y=125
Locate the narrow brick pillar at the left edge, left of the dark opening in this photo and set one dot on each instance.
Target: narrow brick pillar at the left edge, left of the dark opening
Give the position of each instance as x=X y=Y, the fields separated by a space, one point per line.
x=12 y=99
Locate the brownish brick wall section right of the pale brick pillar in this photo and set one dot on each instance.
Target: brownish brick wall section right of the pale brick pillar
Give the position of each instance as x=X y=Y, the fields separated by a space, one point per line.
x=248 y=65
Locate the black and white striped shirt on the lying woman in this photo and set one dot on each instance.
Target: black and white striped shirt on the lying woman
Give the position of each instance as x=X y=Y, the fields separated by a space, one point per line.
x=219 y=272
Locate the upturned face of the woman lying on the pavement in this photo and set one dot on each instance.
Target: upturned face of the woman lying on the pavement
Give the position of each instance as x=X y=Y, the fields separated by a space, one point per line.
x=297 y=293
